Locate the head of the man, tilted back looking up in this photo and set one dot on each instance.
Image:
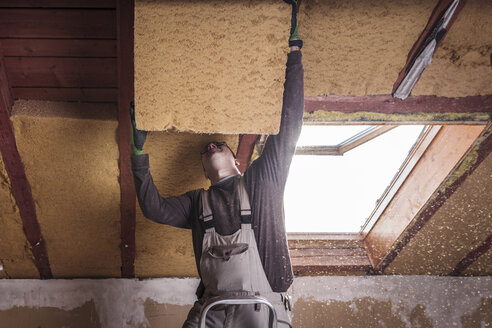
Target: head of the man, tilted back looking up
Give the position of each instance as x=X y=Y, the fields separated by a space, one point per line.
x=218 y=161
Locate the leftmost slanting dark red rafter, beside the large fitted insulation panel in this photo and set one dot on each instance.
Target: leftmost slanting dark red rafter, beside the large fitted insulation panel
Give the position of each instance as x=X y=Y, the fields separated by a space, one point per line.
x=21 y=190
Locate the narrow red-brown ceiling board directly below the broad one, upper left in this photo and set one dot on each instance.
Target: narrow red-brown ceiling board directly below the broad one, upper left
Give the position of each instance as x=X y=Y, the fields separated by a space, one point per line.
x=58 y=48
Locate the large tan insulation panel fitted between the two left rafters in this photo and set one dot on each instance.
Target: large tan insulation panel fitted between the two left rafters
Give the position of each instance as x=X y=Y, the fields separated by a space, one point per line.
x=72 y=166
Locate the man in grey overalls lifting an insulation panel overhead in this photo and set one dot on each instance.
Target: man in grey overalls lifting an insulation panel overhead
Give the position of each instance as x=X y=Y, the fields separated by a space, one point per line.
x=238 y=227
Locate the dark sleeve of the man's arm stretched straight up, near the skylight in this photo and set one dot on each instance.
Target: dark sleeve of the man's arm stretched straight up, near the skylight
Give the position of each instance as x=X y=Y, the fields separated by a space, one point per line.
x=275 y=160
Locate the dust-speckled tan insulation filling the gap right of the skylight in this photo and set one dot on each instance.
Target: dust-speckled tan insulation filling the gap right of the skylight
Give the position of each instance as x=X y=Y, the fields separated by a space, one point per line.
x=457 y=228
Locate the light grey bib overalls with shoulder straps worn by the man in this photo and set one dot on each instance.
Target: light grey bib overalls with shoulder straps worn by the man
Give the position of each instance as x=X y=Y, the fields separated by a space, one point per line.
x=231 y=265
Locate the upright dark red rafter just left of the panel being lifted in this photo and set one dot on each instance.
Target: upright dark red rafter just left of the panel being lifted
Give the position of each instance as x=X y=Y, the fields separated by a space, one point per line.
x=125 y=16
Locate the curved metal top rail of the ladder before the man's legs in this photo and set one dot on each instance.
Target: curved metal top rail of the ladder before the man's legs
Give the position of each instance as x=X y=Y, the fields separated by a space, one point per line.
x=236 y=300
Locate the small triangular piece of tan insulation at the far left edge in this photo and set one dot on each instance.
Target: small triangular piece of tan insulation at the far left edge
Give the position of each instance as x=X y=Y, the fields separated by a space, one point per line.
x=15 y=254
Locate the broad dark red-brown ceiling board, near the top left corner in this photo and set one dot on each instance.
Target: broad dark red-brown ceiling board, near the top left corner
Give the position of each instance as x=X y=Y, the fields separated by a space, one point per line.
x=58 y=23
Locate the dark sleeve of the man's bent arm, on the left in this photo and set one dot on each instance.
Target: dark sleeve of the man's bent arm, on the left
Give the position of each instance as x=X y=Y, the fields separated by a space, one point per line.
x=174 y=211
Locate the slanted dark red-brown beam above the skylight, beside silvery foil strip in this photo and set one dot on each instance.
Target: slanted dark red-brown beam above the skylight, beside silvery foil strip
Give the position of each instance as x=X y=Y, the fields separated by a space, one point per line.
x=436 y=15
